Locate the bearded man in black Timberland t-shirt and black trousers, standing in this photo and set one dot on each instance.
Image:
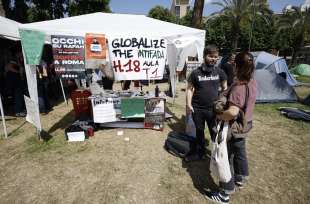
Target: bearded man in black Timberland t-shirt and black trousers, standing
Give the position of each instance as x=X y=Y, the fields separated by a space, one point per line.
x=203 y=88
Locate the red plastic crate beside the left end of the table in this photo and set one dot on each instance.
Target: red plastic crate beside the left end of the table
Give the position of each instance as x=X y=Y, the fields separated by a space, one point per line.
x=81 y=104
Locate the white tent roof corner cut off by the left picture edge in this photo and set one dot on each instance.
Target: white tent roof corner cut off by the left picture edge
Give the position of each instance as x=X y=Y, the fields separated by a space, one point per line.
x=9 y=28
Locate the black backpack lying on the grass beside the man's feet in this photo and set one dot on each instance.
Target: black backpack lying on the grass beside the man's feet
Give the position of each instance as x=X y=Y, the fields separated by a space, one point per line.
x=179 y=144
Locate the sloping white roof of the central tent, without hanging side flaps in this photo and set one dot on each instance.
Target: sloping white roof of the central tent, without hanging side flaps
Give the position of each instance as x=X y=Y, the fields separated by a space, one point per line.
x=113 y=24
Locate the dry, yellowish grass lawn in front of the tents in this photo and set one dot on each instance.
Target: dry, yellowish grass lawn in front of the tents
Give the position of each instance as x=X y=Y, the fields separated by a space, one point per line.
x=111 y=169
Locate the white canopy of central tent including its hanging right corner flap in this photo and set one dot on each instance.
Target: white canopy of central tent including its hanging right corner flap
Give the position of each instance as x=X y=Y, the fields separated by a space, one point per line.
x=188 y=41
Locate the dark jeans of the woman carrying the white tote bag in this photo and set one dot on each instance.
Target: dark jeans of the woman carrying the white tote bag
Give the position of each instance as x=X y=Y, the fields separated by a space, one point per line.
x=238 y=163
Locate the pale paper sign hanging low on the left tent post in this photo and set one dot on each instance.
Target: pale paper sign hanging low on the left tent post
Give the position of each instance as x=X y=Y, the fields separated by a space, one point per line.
x=33 y=112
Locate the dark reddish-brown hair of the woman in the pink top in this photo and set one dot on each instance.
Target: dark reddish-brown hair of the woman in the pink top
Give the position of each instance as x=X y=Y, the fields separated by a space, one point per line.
x=244 y=66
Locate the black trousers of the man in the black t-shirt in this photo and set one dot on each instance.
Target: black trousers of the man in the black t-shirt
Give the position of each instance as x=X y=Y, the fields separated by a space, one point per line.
x=200 y=117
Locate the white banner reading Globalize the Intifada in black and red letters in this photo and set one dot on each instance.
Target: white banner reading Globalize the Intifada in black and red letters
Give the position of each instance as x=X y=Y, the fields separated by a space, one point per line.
x=138 y=58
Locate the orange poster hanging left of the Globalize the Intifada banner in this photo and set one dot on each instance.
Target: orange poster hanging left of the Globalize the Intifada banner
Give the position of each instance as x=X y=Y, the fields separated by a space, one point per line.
x=95 y=50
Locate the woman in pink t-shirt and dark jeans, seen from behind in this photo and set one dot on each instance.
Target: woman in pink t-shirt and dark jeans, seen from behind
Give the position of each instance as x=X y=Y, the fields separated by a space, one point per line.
x=241 y=99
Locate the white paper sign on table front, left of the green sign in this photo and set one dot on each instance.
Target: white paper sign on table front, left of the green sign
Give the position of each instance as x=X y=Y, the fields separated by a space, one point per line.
x=103 y=110
